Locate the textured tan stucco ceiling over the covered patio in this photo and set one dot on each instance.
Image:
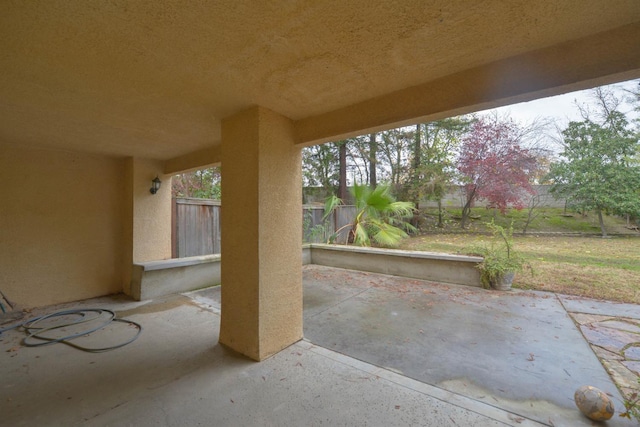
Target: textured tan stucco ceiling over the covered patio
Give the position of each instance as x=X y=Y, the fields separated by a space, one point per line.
x=153 y=79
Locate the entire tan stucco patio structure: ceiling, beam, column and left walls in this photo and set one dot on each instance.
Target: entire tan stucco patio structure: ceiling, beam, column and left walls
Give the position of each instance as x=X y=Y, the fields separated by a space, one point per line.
x=99 y=98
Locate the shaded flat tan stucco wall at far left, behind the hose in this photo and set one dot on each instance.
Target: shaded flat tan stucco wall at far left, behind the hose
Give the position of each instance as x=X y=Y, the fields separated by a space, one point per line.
x=61 y=225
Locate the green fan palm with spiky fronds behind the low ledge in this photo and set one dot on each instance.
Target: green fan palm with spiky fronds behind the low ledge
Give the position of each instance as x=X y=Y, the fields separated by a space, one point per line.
x=379 y=219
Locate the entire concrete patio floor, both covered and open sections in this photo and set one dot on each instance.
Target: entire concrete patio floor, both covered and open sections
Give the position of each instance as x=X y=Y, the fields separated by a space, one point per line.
x=378 y=350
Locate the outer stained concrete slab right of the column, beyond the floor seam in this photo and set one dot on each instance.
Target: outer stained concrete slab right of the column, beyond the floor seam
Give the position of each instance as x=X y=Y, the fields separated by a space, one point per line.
x=519 y=351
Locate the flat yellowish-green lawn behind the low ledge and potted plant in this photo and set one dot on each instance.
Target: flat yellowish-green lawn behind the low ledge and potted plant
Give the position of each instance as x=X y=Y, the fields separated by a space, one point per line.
x=586 y=266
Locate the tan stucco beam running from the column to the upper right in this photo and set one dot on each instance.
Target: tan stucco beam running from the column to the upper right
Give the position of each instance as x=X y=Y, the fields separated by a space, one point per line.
x=599 y=59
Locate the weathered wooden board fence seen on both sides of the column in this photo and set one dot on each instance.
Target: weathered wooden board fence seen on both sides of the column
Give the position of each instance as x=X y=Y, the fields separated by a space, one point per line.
x=196 y=226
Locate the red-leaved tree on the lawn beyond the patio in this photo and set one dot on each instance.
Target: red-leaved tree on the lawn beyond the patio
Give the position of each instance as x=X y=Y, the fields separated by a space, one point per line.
x=495 y=167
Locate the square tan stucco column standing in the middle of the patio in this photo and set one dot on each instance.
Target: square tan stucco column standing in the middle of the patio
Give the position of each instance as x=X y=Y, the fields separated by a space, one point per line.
x=261 y=234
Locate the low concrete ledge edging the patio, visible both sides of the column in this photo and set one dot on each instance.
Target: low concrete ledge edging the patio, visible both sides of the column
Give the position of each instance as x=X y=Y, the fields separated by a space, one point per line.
x=156 y=278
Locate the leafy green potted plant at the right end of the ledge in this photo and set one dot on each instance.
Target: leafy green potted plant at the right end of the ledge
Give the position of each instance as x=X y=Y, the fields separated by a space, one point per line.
x=501 y=261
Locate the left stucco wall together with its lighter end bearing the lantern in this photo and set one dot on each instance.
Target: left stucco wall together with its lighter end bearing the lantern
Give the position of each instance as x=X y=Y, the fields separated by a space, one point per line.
x=72 y=224
